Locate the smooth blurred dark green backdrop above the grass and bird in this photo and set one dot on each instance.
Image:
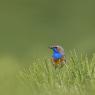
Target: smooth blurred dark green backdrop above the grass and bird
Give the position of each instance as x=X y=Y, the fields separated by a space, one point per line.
x=28 y=27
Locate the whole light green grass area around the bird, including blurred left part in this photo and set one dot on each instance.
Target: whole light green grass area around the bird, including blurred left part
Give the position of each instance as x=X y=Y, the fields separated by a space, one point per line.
x=77 y=77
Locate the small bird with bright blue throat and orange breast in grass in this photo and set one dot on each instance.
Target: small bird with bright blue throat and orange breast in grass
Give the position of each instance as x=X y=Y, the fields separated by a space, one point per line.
x=58 y=56
